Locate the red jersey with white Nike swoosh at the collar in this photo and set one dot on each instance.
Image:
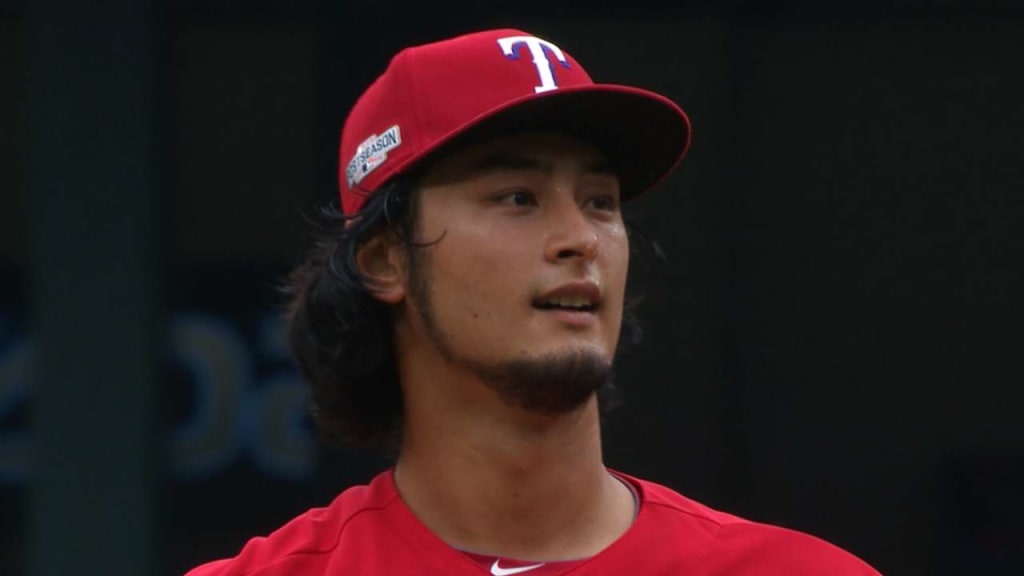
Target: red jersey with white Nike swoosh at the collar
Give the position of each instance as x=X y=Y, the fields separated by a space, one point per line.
x=369 y=531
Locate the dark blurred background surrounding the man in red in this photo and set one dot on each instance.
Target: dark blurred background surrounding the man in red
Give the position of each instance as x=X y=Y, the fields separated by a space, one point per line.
x=834 y=344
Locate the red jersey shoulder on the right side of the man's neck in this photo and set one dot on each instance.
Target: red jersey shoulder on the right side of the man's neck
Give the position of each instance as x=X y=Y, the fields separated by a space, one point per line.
x=732 y=545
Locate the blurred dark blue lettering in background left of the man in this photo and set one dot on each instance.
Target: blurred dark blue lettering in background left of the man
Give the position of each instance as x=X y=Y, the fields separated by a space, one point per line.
x=234 y=396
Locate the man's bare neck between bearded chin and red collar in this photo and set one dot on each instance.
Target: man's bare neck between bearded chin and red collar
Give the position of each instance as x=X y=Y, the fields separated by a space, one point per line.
x=498 y=481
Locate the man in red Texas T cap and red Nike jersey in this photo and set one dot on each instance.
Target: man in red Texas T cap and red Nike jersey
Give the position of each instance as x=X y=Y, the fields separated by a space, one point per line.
x=464 y=313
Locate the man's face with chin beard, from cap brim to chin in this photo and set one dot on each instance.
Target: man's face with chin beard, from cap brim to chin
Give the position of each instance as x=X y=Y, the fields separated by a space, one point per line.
x=524 y=277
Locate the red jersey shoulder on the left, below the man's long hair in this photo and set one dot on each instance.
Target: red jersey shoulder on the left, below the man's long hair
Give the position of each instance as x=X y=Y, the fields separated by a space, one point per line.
x=306 y=544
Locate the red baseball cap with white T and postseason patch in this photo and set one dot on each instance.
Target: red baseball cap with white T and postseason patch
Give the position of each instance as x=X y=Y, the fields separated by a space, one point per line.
x=499 y=83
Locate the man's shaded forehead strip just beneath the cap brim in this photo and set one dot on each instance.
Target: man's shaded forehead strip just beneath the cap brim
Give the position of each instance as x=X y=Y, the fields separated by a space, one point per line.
x=536 y=152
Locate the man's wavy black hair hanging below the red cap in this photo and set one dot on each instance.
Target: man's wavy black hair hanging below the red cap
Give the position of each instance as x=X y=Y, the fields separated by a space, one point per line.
x=343 y=337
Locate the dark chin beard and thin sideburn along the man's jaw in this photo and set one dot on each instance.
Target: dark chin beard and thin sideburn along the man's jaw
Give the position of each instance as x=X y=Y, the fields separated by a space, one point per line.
x=551 y=385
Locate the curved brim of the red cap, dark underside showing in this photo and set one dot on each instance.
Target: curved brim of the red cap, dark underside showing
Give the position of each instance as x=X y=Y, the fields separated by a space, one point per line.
x=643 y=134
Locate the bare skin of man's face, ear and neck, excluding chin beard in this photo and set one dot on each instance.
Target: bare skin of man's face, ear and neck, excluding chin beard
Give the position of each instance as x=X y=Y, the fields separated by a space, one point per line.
x=480 y=471
